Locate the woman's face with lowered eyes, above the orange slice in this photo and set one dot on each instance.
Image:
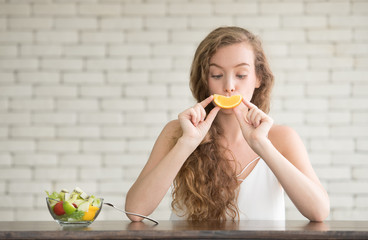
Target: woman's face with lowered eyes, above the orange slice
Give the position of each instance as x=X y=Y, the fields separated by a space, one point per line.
x=232 y=71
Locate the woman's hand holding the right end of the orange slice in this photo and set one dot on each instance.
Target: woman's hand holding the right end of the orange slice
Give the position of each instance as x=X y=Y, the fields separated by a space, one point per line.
x=254 y=123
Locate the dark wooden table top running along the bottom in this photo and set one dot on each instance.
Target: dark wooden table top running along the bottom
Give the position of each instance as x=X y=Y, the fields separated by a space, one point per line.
x=188 y=230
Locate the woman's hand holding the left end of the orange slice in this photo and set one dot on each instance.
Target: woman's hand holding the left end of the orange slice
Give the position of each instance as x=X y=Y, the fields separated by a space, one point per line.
x=194 y=122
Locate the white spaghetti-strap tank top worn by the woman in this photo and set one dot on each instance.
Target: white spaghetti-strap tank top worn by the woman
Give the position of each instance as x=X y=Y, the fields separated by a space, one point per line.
x=261 y=196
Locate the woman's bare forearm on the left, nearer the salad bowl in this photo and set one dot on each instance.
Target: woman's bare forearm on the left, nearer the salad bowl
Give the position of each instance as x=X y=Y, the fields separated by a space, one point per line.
x=149 y=189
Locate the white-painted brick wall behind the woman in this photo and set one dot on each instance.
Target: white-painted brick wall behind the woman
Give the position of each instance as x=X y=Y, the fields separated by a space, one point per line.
x=86 y=87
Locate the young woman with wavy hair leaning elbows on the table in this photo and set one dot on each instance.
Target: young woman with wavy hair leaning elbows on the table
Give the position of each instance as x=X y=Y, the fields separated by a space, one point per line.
x=229 y=163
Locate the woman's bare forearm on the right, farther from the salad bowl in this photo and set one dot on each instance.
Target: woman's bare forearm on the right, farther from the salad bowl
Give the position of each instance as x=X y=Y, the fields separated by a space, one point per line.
x=308 y=196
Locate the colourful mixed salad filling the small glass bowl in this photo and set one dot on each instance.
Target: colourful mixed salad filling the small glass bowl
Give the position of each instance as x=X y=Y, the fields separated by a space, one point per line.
x=74 y=206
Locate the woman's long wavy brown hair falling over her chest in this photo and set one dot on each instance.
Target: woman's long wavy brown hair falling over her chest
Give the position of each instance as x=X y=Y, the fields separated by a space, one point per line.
x=206 y=186
